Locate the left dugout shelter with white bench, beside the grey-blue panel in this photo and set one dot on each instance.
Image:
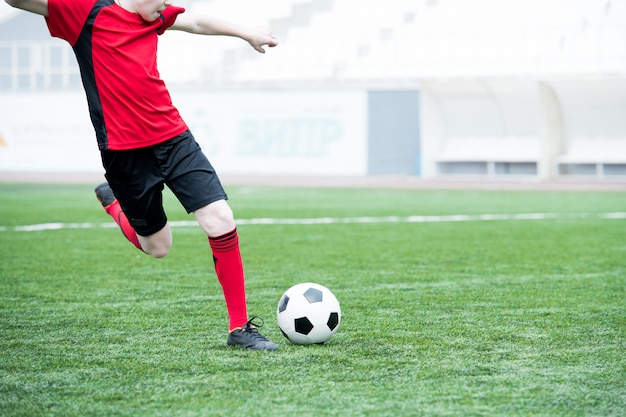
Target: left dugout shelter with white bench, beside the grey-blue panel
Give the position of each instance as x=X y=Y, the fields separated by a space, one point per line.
x=480 y=121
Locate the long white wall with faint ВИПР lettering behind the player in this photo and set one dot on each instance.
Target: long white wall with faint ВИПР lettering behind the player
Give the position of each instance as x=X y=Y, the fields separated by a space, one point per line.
x=278 y=133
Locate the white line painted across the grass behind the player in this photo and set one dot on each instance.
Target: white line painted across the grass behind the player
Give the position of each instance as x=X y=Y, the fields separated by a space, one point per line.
x=343 y=220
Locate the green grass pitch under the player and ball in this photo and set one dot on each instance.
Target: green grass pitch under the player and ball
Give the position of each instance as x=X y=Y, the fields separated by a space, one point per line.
x=440 y=318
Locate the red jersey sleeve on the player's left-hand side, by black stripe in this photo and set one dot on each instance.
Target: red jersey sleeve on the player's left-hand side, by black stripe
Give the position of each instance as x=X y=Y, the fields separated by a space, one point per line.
x=66 y=18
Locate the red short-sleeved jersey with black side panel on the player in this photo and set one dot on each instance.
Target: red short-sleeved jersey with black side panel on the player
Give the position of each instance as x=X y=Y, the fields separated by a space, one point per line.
x=116 y=50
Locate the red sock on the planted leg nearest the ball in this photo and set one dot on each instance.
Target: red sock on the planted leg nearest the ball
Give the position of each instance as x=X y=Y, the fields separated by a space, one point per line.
x=229 y=269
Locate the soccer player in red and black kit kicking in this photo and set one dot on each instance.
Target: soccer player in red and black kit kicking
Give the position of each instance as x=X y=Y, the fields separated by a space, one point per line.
x=143 y=141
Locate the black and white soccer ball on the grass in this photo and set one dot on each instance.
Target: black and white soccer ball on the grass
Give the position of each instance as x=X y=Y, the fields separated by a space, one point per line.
x=308 y=313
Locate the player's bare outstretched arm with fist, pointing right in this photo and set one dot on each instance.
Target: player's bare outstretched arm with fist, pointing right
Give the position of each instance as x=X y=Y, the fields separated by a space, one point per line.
x=256 y=36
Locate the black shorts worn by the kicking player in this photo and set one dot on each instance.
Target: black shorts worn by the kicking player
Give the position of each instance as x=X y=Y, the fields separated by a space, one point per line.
x=137 y=178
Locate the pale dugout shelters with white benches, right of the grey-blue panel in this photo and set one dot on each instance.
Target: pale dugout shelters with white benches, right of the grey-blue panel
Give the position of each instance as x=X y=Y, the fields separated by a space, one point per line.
x=498 y=127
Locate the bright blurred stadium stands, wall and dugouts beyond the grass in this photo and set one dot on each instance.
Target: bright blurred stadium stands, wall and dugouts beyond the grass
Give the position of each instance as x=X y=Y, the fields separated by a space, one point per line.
x=523 y=91
